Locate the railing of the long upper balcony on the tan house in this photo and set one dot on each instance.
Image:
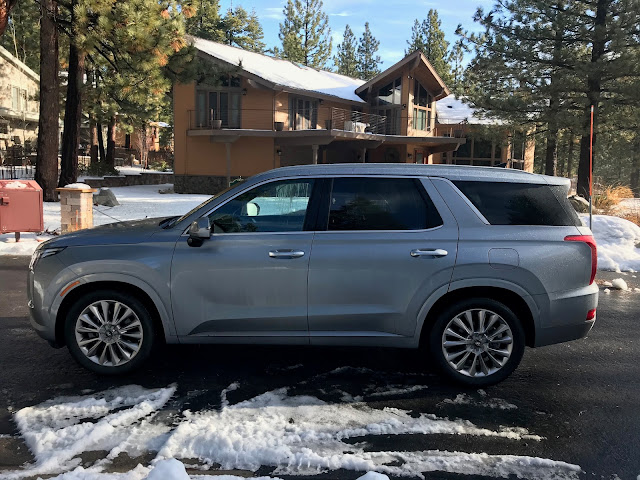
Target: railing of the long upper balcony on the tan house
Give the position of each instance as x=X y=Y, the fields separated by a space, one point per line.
x=318 y=118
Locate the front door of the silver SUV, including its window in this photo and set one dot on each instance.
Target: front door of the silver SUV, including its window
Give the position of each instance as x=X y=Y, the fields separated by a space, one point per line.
x=250 y=278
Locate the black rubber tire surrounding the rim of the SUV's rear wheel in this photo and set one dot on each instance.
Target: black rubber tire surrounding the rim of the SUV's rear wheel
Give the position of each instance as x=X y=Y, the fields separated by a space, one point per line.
x=448 y=314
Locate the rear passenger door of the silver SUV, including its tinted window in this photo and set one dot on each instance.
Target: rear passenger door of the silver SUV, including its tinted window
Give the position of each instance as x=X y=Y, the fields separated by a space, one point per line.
x=382 y=246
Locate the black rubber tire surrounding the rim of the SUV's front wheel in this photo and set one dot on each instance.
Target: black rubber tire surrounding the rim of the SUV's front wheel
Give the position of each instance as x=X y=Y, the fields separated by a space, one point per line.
x=143 y=315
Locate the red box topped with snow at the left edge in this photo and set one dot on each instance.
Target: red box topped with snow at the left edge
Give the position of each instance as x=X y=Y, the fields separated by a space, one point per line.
x=20 y=207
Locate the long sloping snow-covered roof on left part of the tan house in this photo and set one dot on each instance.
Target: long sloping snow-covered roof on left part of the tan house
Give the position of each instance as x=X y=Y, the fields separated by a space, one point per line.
x=282 y=73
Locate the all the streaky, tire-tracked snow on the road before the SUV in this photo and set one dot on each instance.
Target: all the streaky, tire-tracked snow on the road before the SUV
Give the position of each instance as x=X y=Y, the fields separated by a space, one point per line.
x=294 y=434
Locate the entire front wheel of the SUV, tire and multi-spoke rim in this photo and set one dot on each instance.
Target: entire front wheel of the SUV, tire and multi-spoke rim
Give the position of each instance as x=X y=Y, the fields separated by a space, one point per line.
x=109 y=332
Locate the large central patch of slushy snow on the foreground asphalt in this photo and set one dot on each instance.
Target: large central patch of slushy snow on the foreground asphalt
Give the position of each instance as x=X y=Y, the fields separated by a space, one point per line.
x=305 y=435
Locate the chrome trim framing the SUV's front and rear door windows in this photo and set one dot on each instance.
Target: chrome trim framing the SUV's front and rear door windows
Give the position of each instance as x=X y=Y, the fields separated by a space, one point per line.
x=298 y=177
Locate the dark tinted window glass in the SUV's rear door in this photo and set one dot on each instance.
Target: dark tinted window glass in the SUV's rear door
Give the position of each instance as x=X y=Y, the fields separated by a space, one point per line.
x=380 y=204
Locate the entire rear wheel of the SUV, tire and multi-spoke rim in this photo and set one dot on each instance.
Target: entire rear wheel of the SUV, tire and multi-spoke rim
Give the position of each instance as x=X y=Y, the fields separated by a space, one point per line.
x=477 y=342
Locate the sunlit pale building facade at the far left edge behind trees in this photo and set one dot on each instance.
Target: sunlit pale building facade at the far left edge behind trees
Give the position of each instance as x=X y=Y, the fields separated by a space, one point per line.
x=18 y=119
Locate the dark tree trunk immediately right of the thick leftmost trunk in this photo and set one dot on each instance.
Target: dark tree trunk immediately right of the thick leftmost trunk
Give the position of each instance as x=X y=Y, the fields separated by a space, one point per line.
x=72 y=117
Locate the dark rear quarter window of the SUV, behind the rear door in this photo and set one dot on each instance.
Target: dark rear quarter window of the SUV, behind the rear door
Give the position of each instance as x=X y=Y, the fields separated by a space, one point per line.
x=520 y=203
